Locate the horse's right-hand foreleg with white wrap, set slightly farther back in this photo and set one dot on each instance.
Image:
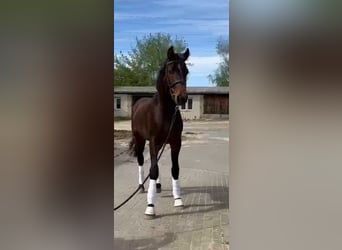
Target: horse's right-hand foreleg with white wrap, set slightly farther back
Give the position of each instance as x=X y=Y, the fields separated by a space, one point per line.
x=175 y=149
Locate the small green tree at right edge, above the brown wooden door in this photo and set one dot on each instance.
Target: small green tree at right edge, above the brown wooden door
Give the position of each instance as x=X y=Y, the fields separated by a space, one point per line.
x=221 y=75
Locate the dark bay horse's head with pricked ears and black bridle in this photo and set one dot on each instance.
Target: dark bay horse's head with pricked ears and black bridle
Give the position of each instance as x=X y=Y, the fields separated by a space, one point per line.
x=175 y=74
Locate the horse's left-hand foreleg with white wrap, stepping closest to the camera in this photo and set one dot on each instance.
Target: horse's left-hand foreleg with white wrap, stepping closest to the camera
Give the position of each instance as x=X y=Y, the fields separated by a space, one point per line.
x=154 y=173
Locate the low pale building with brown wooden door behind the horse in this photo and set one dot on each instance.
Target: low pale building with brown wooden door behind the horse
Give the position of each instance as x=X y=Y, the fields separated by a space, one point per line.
x=203 y=102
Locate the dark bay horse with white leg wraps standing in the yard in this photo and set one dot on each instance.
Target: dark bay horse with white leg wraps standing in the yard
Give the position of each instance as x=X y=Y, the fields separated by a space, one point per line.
x=151 y=119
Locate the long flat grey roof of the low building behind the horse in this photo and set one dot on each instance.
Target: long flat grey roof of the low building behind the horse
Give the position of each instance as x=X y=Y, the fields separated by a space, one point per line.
x=152 y=90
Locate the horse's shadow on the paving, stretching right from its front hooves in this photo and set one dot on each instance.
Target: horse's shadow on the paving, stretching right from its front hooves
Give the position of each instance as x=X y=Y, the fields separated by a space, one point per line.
x=219 y=199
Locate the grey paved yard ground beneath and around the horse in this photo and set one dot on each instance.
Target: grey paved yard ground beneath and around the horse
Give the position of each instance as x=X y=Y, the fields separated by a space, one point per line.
x=203 y=222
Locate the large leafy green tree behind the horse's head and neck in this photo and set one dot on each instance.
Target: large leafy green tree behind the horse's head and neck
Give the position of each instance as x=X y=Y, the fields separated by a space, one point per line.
x=142 y=64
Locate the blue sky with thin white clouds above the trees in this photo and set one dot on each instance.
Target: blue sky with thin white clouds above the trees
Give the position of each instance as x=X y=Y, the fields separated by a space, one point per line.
x=199 y=22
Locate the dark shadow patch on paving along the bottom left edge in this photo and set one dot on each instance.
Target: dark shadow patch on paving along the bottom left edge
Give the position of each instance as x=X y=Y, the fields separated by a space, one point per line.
x=141 y=244
